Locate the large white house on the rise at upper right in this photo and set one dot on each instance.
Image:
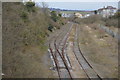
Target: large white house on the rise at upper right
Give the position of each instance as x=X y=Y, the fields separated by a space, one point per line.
x=107 y=11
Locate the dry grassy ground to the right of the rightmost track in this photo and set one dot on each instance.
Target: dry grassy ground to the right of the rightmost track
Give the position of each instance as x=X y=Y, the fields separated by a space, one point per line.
x=99 y=53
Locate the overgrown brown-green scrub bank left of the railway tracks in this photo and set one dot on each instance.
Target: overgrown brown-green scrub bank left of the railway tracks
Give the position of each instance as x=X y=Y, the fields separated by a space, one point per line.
x=25 y=26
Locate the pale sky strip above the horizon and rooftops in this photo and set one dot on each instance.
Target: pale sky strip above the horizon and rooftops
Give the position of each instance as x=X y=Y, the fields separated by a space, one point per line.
x=80 y=4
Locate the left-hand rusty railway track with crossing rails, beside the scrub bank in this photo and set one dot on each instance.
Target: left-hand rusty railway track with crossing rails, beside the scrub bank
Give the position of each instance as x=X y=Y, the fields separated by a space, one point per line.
x=54 y=47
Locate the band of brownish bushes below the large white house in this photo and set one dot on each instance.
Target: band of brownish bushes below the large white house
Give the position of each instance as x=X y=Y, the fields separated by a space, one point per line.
x=111 y=21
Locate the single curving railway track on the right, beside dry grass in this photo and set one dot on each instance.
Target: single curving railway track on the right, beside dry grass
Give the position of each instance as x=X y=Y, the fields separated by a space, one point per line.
x=86 y=66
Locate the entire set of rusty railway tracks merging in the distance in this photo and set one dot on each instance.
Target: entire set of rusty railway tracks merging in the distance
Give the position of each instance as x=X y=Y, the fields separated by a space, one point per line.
x=60 y=58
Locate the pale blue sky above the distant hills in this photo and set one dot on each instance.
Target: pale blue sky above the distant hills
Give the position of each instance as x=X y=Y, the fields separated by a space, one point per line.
x=81 y=5
